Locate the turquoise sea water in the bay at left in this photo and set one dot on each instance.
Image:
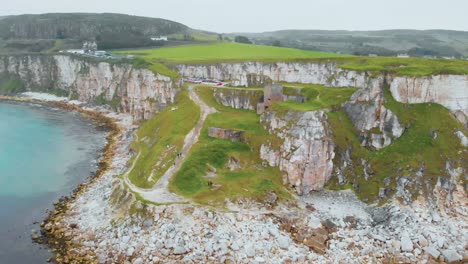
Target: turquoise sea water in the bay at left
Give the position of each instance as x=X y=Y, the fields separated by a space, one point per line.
x=44 y=154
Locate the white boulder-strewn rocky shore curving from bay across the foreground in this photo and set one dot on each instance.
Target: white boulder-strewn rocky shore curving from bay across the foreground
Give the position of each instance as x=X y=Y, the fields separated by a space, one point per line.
x=93 y=226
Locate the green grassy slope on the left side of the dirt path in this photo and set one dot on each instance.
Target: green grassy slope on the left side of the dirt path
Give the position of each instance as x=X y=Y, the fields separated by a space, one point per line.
x=168 y=128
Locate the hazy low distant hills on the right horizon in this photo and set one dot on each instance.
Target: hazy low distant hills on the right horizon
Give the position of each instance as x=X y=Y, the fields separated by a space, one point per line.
x=385 y=43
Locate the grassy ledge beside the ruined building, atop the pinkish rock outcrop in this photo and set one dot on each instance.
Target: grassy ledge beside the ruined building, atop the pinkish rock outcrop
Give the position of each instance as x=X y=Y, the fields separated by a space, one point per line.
x=317 y=97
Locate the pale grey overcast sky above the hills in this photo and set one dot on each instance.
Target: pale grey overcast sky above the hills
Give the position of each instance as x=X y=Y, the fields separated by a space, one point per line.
x=268 y=15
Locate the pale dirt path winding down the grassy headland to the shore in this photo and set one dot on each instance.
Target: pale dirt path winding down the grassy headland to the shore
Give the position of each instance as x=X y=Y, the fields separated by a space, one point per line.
x=160 y=192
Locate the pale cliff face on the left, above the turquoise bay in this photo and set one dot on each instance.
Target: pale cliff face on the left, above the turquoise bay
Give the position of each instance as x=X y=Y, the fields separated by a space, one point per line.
x=139 y=92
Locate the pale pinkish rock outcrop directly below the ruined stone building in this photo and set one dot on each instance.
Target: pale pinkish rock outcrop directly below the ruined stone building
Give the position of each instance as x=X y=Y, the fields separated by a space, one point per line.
x=307 y=152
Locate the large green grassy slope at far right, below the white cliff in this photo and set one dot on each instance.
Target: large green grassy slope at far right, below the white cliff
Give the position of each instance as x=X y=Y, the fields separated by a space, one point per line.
x=413 y=150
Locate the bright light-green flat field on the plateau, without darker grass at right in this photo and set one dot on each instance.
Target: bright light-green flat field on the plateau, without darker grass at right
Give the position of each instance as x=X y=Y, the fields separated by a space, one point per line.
x=226 y=52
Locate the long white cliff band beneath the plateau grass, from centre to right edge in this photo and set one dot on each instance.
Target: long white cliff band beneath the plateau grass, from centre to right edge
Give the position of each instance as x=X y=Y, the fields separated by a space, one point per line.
x=447 y=90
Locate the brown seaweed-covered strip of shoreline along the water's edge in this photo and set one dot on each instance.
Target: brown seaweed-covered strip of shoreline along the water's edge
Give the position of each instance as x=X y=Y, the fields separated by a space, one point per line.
x=52 y=239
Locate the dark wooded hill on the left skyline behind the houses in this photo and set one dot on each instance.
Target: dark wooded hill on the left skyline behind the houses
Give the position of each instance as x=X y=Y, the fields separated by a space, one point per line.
x=108 y=30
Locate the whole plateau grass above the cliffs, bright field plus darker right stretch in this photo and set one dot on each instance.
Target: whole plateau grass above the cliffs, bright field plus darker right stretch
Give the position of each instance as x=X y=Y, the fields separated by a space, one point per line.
x=236 y=52
